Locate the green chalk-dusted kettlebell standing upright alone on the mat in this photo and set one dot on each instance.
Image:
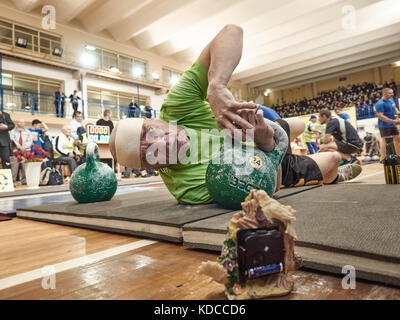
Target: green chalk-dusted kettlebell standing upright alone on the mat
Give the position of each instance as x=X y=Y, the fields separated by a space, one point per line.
x=93 y=181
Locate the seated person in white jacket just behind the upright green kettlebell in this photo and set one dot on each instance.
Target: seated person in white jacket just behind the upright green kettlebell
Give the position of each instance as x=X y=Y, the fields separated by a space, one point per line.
x=65 y=148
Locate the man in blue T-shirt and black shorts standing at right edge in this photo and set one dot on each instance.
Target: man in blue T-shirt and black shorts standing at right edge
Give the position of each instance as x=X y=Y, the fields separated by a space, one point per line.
x=387 y=120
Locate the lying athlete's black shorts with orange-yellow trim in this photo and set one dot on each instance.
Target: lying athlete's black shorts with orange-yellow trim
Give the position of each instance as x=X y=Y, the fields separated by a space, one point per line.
x=298 y=170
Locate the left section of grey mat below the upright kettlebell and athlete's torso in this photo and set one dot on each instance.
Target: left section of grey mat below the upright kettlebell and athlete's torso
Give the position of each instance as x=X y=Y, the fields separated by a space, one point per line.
x=151 y=213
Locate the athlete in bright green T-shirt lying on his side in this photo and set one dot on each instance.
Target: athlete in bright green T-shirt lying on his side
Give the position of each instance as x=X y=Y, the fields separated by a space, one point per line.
x=187 y=120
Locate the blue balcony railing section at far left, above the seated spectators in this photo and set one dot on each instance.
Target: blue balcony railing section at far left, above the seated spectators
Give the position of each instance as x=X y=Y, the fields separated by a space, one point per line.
x=34 y=103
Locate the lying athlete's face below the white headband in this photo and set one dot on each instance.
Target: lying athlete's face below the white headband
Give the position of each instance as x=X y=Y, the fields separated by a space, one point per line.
x=160 y=143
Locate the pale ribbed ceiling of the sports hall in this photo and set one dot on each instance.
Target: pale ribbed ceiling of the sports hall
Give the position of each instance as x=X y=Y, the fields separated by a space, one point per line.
x=286 y=42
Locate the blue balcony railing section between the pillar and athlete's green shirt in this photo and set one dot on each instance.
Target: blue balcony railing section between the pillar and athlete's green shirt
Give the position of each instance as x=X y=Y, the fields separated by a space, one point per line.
x=119 y=111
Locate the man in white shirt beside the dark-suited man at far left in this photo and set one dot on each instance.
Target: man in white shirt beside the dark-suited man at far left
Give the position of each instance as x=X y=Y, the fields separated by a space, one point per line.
x=21 y=141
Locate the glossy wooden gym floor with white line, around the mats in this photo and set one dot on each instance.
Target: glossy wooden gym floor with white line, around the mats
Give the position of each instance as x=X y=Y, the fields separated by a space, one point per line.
x=96 y=265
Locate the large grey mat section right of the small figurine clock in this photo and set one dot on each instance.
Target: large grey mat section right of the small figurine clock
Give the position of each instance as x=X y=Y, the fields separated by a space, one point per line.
x=362 y=220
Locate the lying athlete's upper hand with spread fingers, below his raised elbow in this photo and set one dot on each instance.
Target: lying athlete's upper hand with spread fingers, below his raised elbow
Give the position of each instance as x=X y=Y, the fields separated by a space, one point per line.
x=226 y=109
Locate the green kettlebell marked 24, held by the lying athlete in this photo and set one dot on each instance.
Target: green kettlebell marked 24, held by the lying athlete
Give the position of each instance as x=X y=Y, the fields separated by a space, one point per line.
x=233 y=172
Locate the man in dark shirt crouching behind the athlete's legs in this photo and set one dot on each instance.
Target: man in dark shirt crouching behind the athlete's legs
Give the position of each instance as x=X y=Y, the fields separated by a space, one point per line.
x=346 y=137
